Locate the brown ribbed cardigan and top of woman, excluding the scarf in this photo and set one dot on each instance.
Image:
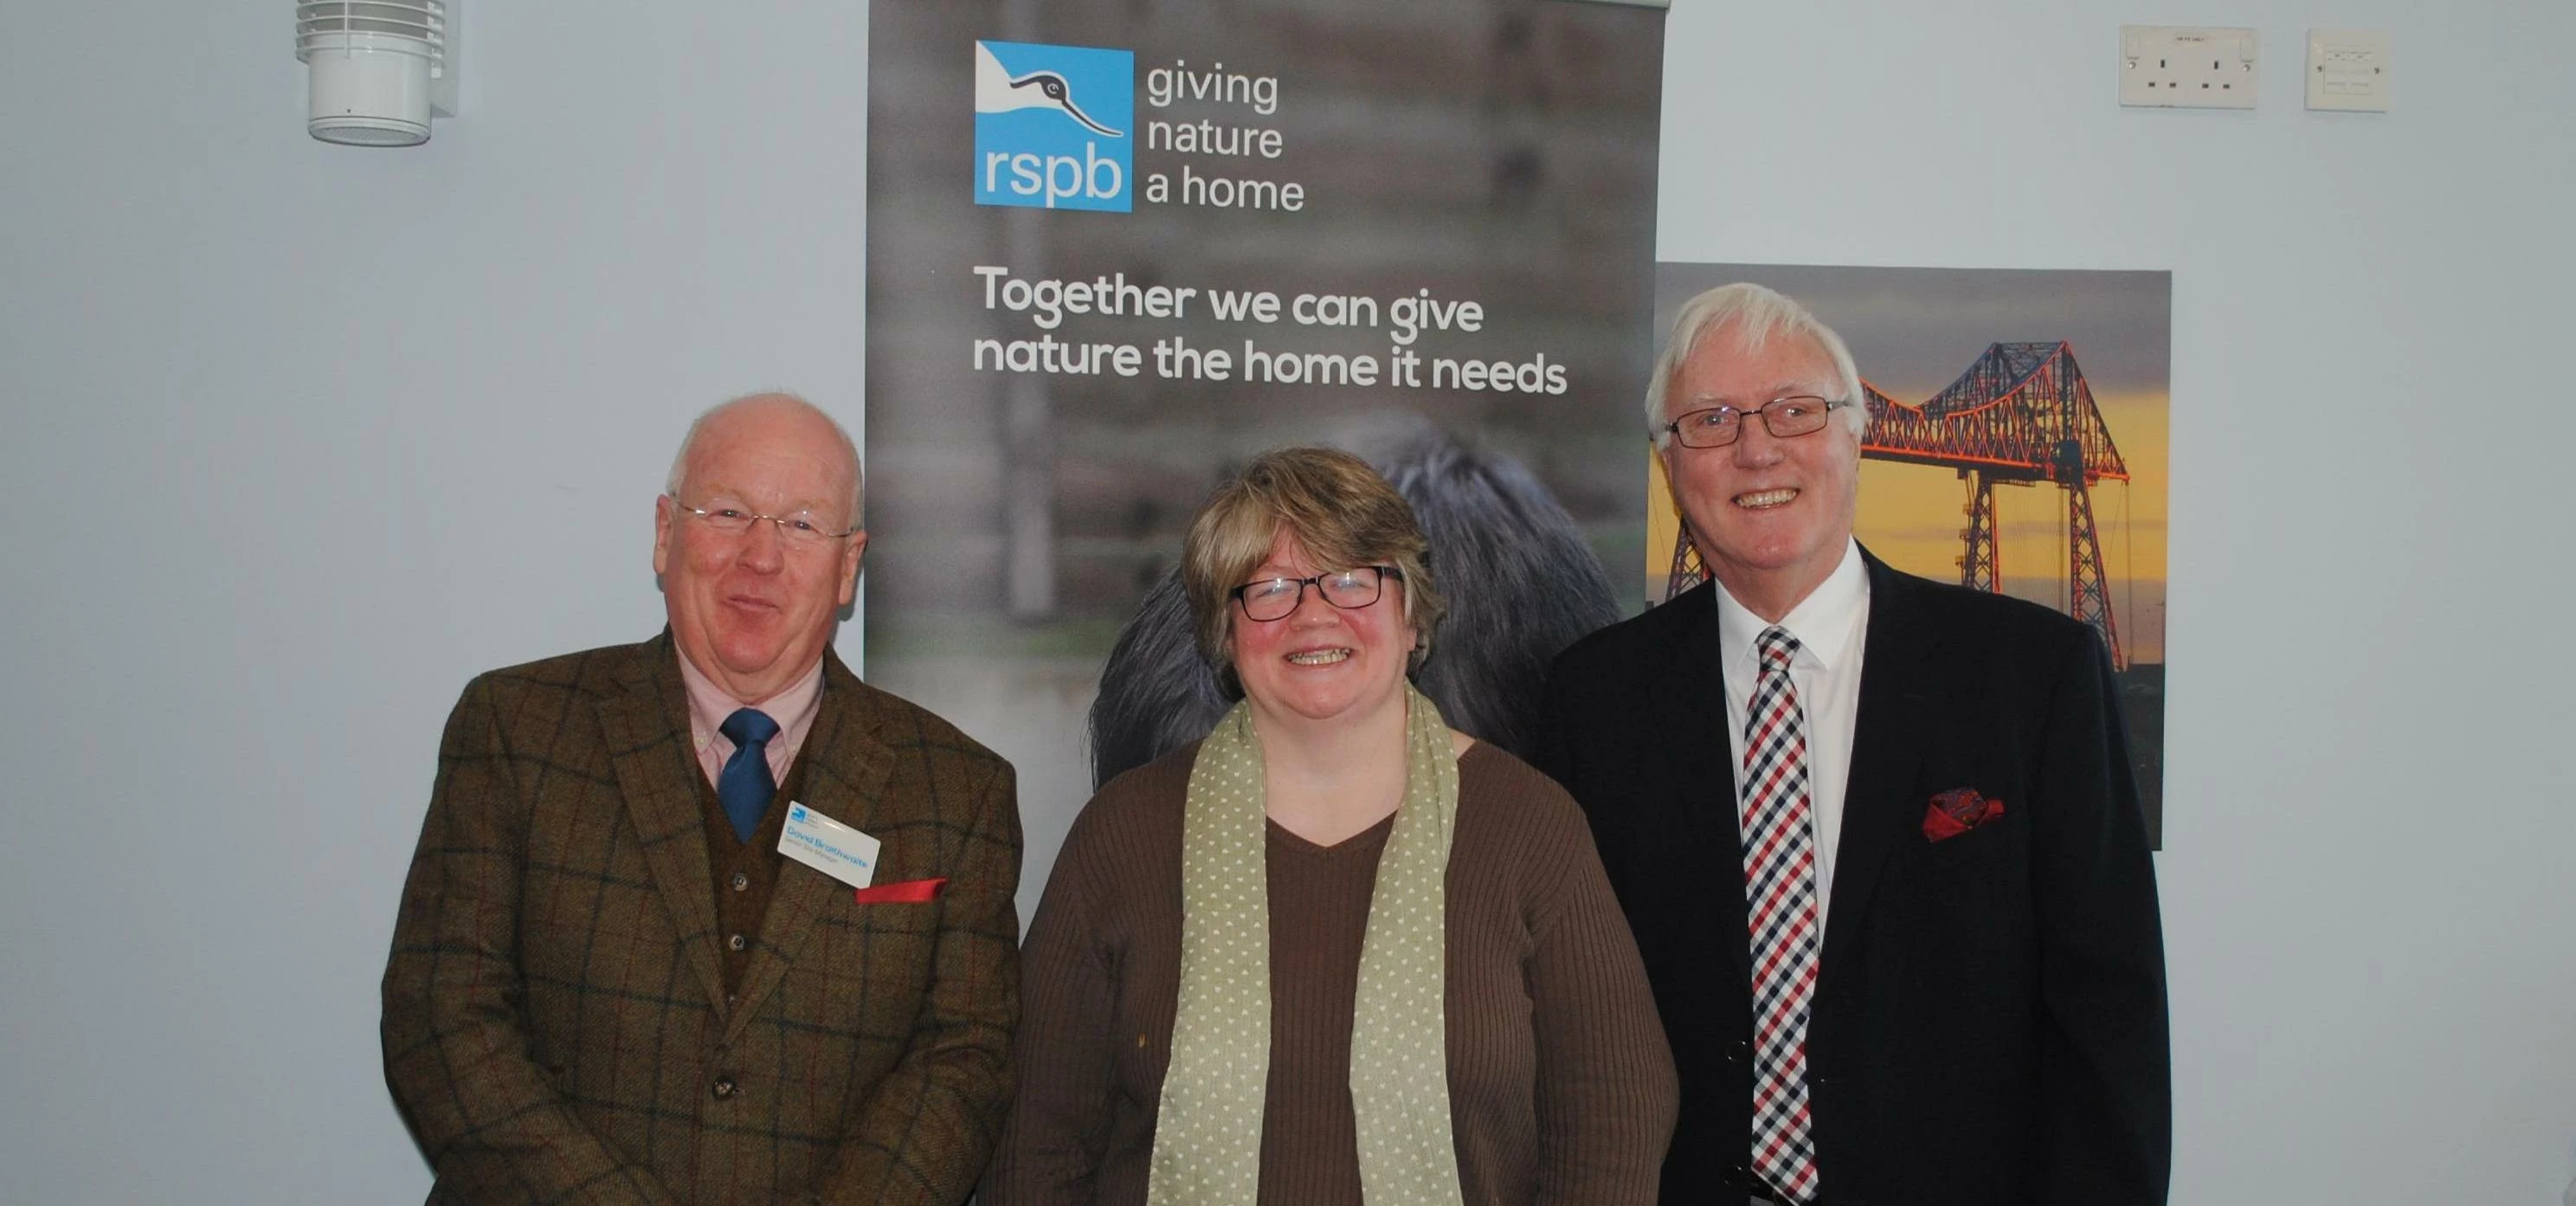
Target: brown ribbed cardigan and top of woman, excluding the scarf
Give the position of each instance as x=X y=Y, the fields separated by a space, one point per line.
x=1560 y=1078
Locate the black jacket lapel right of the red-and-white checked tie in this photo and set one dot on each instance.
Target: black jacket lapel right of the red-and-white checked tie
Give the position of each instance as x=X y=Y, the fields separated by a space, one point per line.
x=1889 y=741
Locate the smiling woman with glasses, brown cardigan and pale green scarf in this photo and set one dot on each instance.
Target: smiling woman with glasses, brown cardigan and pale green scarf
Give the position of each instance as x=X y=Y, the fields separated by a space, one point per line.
x=1336 y=952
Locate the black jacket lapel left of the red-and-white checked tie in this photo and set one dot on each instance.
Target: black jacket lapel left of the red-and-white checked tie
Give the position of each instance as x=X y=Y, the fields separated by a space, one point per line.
x=1699 y=761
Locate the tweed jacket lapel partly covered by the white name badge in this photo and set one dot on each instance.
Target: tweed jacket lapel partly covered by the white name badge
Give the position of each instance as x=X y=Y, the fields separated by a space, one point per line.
x=844 y=777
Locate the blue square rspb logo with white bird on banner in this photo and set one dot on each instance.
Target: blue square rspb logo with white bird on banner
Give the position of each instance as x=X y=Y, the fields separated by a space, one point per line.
x=1052 y=128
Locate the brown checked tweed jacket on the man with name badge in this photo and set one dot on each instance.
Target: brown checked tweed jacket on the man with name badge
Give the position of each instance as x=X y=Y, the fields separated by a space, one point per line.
x=555 y=1019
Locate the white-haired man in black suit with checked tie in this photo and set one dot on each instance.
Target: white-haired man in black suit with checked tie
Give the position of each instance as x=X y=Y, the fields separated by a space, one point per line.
x=1877 y=836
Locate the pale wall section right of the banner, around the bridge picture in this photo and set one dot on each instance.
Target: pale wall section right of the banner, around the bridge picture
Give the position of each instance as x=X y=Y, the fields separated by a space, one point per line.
x=2369 y=895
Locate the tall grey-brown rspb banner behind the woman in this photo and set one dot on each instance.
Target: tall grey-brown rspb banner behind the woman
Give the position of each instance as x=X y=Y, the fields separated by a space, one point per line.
x=1119 y=249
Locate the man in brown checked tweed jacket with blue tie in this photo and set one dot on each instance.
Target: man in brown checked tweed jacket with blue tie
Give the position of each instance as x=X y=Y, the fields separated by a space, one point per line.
x=614 y=986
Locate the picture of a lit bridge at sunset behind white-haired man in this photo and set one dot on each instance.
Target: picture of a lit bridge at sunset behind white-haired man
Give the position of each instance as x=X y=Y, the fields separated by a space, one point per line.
x=2016 y=445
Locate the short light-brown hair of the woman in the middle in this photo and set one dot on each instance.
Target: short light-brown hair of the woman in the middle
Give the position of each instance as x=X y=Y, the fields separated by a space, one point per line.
x=1336 y=506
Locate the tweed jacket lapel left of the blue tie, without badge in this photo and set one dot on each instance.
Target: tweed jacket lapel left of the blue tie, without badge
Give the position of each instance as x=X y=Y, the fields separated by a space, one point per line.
x=650 y=751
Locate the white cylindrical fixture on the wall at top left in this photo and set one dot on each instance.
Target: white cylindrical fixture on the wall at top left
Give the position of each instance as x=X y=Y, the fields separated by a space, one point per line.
x=380 y=68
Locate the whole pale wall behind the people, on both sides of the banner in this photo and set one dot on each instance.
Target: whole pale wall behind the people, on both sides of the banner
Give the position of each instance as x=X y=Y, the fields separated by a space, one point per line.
x=298 y=439
